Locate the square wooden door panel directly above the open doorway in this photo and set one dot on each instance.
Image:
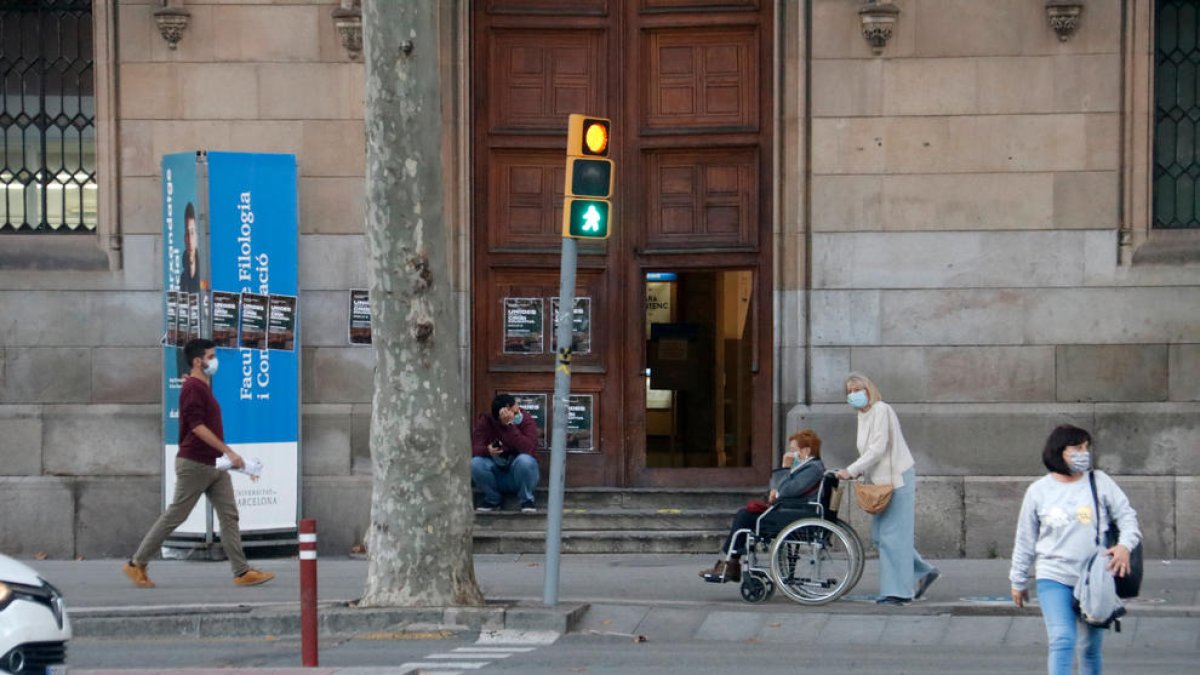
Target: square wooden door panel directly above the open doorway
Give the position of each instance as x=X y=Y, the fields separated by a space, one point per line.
x=703 y=199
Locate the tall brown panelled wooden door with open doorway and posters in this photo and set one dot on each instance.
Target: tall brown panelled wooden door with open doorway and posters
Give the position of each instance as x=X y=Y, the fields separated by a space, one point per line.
x=688 y=87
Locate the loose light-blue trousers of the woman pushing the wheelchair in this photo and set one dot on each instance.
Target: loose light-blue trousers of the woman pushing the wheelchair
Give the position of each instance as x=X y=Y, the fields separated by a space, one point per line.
x=893 y=533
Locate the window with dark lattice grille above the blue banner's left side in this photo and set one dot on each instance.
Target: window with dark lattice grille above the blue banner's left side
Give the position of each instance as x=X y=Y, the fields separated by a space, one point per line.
x=49 y=117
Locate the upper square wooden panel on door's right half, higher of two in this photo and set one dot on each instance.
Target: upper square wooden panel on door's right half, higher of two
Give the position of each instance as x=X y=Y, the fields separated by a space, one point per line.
x=701 y=79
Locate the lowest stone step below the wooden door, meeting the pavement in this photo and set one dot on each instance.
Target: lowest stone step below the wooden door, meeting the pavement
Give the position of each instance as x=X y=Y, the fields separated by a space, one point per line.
x=603 y=542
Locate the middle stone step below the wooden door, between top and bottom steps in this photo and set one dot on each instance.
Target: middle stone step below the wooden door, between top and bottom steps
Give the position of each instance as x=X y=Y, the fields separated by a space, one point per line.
x=665 y=519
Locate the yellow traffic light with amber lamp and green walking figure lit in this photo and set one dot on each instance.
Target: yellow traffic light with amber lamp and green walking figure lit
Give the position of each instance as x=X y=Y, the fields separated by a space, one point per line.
x=586 y=207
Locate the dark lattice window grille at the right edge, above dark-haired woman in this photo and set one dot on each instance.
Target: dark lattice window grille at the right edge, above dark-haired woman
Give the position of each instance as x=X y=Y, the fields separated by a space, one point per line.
x=1177 y=115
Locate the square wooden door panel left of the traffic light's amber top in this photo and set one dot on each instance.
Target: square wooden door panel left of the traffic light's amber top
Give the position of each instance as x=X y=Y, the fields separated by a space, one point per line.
x=538 y=77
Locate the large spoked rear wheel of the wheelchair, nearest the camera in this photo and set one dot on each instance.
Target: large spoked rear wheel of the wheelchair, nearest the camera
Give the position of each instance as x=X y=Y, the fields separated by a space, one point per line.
x=817 y=561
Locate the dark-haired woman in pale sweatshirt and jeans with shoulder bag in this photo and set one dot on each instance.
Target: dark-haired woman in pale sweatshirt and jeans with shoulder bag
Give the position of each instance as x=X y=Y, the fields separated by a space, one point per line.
x=1058 y=528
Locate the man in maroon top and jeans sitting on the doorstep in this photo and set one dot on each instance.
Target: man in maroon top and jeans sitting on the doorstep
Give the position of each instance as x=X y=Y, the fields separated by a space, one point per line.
x=503 y=461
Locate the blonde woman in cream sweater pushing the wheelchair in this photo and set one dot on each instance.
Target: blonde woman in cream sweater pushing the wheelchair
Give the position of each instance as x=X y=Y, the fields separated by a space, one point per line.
x=884 y=458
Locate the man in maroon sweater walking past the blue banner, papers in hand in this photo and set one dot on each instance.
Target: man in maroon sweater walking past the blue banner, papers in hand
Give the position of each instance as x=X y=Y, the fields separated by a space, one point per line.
x=201 y=443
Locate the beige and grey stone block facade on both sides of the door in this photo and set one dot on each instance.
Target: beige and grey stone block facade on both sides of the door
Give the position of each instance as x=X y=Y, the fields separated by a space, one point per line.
x=952 y=220
